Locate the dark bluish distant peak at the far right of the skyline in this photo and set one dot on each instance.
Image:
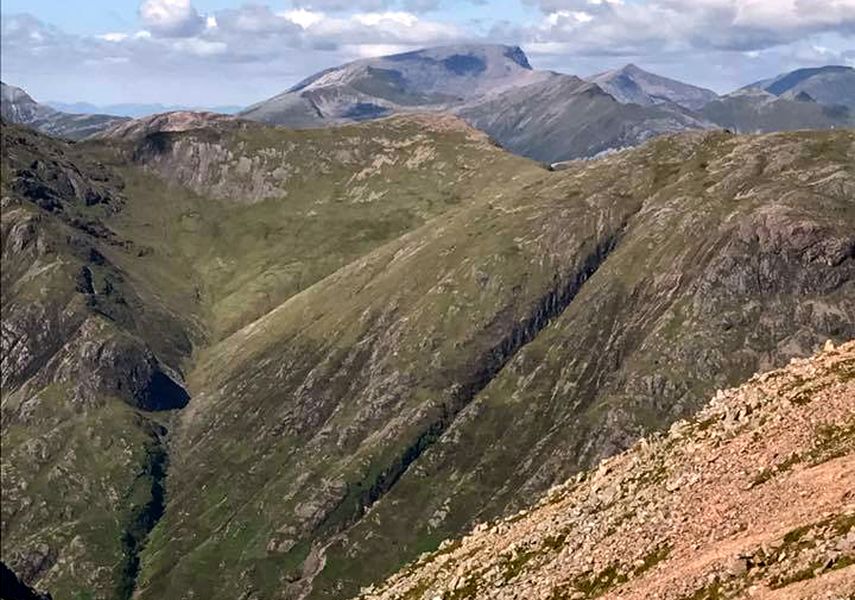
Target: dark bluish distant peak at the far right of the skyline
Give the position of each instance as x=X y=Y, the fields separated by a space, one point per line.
x=831 y=85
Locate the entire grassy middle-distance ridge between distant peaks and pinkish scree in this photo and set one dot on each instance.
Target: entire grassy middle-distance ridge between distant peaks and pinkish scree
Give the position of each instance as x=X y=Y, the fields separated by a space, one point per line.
x=386 y=331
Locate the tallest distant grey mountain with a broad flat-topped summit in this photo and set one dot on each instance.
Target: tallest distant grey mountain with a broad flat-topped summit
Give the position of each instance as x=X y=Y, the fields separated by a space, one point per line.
x=430 y=79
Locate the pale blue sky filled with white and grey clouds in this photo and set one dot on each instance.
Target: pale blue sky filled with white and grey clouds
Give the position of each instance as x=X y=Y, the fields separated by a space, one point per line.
x=229 y=52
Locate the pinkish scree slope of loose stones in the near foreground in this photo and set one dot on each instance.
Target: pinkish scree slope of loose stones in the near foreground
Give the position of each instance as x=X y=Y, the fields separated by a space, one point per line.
x=753 y=497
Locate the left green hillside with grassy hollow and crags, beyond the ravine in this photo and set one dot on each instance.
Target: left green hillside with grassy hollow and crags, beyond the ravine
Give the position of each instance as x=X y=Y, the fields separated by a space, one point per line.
x=113 y=272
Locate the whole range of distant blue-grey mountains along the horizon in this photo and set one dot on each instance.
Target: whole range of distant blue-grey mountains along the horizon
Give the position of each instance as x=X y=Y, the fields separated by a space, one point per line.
x=548 y=116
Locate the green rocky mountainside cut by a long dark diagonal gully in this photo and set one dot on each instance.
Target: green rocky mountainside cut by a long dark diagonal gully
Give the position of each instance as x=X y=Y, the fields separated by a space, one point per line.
x=451 y=374
